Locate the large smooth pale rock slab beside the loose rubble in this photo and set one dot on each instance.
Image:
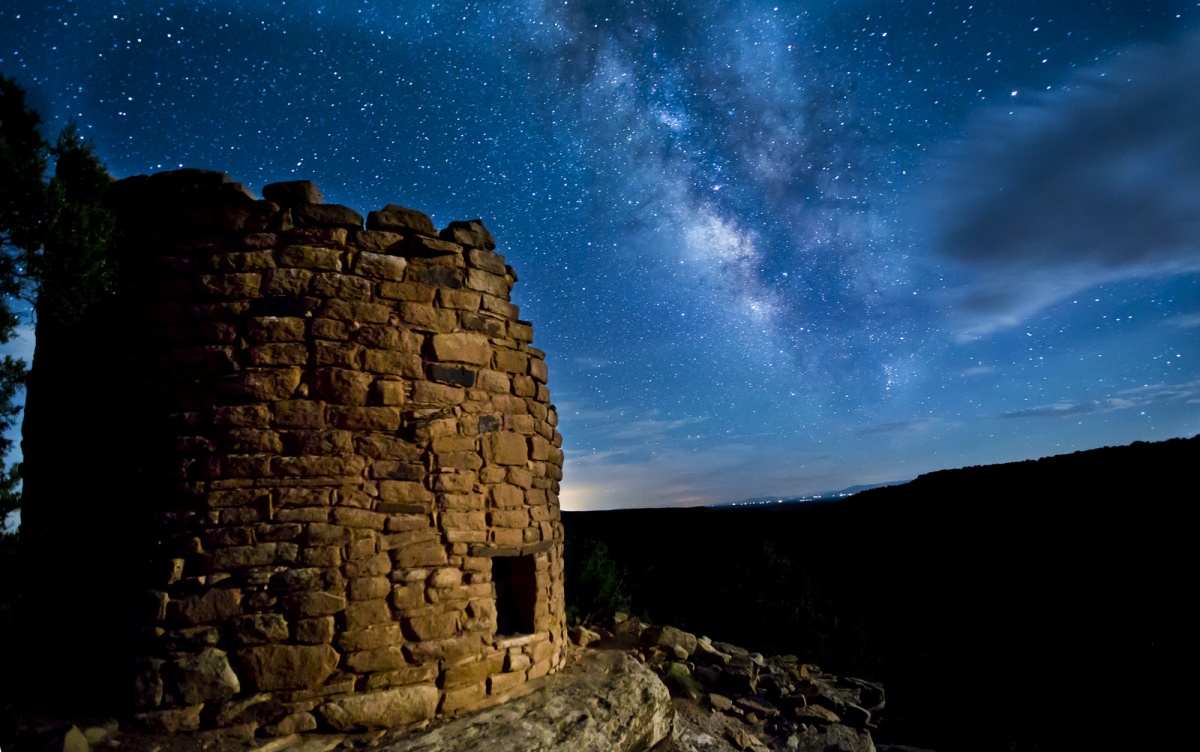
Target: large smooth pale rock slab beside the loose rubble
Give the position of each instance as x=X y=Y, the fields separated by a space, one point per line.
x=607 y=703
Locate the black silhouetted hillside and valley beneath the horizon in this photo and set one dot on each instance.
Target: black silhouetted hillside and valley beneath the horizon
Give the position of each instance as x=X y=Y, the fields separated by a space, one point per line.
x=1042 y=605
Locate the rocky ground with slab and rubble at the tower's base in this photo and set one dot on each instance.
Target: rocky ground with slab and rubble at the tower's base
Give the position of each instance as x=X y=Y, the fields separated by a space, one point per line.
x=628 y=687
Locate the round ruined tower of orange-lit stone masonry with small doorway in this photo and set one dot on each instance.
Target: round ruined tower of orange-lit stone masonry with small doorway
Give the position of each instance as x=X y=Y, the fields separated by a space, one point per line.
x=363 y=528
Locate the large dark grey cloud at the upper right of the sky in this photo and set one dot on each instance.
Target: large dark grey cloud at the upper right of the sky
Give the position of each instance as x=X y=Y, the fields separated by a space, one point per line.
x=1090 y=185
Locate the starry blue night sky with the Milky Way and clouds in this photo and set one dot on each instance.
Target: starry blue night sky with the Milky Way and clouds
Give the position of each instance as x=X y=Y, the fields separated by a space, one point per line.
x=771 y=249
